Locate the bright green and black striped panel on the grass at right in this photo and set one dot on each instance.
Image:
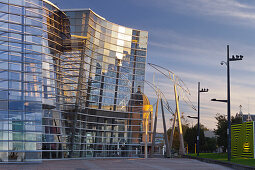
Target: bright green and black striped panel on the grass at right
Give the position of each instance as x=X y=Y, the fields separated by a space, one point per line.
x=242 y=140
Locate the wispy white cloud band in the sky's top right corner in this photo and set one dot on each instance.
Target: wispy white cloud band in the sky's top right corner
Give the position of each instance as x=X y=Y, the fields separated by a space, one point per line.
x=222 y=11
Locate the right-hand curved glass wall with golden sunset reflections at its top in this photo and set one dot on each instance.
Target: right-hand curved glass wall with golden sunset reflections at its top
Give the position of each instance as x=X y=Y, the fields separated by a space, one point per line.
x=110 y=66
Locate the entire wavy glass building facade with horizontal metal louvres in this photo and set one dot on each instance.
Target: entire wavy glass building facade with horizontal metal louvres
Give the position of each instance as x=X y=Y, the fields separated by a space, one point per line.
x=71 y=84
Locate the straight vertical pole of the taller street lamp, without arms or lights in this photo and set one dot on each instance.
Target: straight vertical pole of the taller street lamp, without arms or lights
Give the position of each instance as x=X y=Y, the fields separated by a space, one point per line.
x=228 y=100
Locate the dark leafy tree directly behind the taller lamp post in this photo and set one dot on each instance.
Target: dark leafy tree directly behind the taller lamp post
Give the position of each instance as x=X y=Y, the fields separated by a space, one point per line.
x=221 y=129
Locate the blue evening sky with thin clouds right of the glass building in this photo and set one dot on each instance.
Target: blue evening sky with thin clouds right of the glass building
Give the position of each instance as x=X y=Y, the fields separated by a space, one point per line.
x=189 y=37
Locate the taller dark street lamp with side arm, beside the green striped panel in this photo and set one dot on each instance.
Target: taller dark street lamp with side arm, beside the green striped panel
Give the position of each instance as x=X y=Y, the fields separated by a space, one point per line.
x=234 y=58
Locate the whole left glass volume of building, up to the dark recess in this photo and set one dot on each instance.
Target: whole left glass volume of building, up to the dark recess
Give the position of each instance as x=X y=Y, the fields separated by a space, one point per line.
x=31 y=37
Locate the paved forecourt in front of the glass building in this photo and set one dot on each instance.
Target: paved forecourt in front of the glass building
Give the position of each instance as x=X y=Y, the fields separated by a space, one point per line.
x=118 y=164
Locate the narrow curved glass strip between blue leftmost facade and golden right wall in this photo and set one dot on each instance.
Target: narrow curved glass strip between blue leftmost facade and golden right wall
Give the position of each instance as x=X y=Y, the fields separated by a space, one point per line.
x=56 y=31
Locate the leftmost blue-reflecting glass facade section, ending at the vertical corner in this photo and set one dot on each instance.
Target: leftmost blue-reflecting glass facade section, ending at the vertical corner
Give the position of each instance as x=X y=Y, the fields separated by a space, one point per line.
x=20 y=80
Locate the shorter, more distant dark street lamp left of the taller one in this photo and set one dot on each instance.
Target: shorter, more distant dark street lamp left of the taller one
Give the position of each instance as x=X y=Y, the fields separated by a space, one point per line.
x=203 y=90
